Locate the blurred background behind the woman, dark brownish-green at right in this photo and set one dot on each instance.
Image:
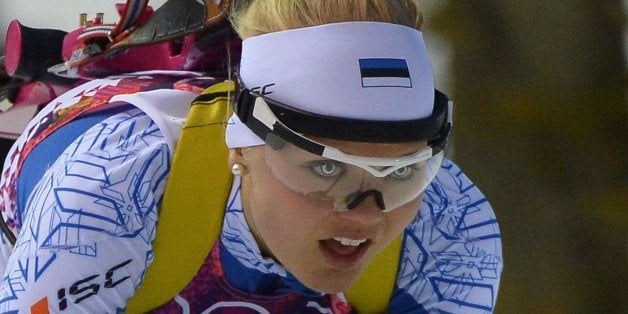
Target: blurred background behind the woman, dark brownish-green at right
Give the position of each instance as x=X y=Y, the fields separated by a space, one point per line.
x=541 y=127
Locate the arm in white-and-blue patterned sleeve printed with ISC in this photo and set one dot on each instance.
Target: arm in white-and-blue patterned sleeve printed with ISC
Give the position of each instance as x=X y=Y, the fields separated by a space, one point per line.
x=88 y=224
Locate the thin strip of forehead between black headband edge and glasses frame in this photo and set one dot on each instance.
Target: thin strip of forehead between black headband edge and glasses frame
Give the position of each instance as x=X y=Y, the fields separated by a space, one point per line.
x=373 y=149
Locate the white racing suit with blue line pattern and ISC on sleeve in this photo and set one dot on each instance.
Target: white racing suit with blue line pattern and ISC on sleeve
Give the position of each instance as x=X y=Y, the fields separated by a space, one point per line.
x=85 y=205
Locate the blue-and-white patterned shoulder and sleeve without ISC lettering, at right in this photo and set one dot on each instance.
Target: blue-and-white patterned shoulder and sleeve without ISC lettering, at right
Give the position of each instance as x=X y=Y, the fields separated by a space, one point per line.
x=452 y=257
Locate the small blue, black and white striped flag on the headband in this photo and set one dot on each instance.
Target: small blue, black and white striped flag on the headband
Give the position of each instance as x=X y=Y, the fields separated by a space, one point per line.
x=384 y=72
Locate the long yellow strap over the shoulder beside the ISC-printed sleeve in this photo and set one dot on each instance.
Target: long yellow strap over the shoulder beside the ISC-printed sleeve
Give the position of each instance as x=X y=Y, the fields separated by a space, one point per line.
x=191 y=215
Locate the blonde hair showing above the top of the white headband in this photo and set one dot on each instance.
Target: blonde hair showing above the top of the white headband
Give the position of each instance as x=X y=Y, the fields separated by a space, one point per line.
x=256 y=17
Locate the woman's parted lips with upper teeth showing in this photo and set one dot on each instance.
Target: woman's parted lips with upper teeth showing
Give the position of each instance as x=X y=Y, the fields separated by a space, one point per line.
x=340 y=256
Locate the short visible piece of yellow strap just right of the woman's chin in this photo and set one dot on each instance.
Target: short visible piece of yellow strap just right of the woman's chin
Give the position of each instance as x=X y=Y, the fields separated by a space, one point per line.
x=372 y=292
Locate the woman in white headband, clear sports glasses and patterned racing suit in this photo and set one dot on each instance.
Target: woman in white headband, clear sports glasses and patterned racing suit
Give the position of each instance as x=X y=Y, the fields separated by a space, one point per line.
x=336 y=147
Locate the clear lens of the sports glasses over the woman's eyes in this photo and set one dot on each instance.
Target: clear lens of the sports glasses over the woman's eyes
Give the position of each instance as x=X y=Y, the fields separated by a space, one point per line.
x=334 y=184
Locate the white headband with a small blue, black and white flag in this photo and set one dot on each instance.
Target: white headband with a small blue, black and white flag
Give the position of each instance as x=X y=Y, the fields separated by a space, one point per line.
x=360 y=70
